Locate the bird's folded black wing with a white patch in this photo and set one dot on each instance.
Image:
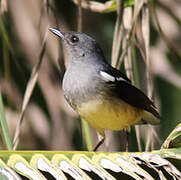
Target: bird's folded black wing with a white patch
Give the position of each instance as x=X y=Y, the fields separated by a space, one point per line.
x=121 y=87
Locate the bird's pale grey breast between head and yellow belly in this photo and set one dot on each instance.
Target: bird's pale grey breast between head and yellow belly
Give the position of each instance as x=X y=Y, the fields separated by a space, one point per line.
x=79 y=86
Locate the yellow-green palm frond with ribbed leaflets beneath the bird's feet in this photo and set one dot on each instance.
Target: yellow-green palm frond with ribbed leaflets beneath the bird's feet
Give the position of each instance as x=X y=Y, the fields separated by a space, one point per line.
x=91 y=165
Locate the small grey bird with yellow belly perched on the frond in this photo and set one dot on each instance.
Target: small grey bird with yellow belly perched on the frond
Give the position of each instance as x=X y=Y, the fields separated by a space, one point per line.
x=98 y=92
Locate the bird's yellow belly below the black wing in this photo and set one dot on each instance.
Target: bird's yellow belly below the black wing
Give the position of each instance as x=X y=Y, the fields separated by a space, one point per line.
x=103 y=115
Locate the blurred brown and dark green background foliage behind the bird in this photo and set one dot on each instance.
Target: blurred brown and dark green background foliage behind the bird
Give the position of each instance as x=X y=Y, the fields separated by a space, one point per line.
x=49 y=123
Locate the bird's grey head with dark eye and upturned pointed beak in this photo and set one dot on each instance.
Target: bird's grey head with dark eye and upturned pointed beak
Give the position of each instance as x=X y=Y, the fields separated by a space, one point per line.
x=78 y=45
